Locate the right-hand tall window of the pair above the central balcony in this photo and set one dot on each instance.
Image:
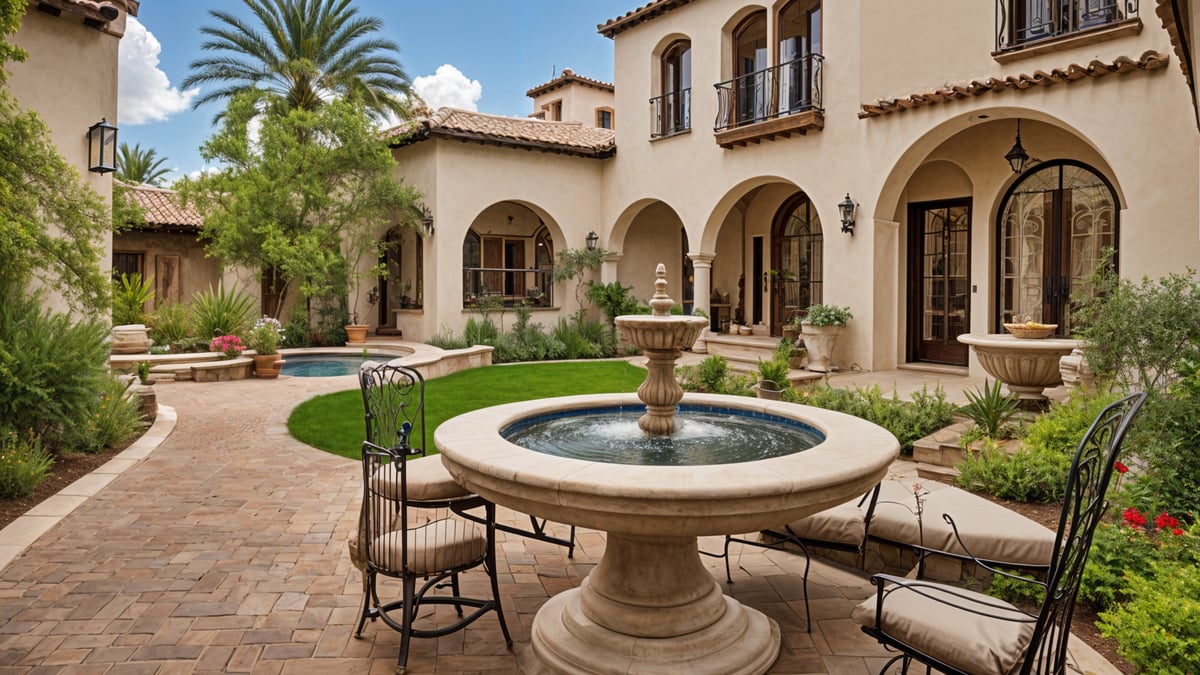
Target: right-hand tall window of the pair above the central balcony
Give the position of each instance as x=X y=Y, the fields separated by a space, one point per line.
x=800 y=47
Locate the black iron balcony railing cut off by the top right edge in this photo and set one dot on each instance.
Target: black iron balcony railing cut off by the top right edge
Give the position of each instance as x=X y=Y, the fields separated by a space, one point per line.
x=1024 y=22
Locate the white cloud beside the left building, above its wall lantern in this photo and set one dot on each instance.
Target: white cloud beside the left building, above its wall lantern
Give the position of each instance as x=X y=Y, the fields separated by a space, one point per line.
x=145 y=93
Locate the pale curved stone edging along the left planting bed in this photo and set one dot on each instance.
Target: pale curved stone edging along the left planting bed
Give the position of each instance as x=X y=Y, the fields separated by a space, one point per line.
x=21 y=534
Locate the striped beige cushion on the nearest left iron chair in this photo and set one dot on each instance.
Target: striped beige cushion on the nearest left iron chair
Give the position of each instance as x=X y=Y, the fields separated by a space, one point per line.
x=435 y=547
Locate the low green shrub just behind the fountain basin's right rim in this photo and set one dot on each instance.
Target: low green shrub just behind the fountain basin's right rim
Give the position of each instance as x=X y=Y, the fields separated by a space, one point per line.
x=908 y=421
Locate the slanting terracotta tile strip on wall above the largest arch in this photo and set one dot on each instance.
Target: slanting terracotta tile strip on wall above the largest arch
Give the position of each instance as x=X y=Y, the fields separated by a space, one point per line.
x=1149 y=62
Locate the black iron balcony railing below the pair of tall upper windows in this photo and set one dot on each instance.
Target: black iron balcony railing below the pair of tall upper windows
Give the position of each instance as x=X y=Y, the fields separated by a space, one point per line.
x=769 y=94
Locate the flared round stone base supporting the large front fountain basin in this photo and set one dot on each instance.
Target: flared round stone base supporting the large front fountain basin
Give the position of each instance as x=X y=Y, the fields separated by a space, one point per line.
x=633 y=618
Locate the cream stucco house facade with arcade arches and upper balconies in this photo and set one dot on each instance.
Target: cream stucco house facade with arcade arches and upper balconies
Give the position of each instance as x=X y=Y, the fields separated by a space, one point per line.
x=913 y=130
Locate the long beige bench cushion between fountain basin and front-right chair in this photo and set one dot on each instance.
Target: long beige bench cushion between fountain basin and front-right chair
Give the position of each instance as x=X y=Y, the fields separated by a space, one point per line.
x=991 y=531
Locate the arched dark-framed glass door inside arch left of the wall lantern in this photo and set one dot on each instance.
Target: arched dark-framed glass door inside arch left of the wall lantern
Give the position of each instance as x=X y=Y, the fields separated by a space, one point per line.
x=796 y=260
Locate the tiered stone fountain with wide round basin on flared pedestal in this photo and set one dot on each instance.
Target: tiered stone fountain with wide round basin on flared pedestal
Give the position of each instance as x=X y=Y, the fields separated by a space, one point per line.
x=651 y=606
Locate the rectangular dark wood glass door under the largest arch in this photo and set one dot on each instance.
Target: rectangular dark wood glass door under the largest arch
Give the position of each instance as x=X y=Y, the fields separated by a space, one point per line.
x=940 y=280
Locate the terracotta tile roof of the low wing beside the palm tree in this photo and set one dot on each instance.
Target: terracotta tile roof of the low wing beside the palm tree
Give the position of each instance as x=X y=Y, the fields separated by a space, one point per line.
x=566 y=138
